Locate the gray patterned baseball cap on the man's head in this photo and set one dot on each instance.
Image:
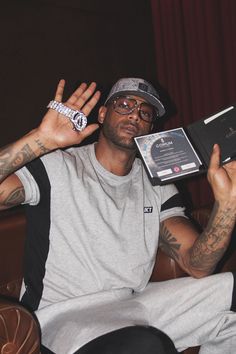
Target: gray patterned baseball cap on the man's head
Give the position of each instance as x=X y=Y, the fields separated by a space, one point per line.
x=137 y=87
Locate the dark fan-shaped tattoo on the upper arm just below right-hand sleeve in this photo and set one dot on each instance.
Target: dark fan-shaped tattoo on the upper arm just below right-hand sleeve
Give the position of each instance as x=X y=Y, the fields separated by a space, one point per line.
x=168 y=242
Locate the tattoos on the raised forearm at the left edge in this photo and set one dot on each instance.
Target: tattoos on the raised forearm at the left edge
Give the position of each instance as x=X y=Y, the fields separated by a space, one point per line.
x=10 y=161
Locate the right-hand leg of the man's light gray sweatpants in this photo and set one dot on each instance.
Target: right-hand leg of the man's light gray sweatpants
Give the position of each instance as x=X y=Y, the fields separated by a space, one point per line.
x=194 y=312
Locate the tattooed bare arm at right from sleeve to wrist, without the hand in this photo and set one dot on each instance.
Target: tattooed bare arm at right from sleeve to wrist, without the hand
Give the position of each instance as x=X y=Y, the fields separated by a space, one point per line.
x=197 y=254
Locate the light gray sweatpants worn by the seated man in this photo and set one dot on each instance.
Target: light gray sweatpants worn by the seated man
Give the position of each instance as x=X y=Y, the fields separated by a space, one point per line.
x=191 y=311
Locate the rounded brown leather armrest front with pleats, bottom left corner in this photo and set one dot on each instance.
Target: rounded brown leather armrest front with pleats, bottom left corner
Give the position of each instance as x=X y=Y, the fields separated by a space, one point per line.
x=19 y=330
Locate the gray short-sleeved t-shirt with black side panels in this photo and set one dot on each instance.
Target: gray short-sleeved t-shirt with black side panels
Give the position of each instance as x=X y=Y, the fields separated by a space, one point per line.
x=101 y=230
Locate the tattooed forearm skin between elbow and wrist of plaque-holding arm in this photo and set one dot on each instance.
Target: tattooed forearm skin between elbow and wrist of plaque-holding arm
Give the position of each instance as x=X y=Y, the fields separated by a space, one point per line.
x=213 y=242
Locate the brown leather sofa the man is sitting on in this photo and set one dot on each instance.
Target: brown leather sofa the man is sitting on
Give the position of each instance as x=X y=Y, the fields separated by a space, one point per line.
x=19 y=330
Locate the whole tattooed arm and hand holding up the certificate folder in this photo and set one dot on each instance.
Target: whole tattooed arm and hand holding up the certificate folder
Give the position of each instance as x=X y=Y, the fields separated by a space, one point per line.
x=197 y=254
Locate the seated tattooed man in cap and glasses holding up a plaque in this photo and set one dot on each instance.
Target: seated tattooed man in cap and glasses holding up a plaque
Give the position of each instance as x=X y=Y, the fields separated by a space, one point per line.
x=95 y=223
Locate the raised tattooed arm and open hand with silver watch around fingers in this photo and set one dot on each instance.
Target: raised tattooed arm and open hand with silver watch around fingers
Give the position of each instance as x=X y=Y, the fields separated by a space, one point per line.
x=55 y=131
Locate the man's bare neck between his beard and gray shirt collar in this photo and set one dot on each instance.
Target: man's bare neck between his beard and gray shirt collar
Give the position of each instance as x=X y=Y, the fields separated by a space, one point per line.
x=114 y=159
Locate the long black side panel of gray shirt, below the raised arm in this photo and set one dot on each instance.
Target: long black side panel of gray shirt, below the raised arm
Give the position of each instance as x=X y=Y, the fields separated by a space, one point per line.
x=37 y=240
